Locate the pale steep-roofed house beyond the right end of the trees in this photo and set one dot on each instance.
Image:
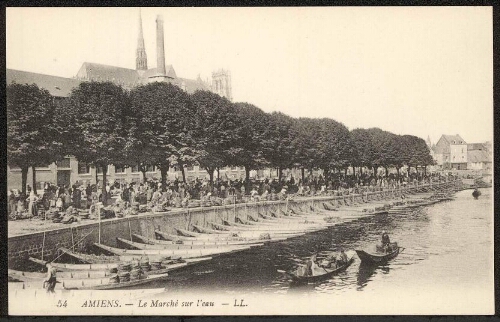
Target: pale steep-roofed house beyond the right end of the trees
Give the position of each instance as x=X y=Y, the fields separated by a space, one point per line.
x=450 y=152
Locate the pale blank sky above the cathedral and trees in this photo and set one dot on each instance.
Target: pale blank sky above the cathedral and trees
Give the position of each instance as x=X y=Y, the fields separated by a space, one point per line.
x=421 y=71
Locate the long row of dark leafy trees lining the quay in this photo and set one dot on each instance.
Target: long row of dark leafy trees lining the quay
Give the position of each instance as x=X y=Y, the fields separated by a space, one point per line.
x=159 y=124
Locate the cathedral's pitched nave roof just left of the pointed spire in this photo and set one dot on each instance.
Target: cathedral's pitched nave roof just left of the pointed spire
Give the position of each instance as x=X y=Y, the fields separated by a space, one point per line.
x=97 y=72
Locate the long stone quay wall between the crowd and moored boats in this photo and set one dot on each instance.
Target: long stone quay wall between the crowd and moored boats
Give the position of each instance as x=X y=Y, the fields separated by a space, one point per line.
x=80 y=237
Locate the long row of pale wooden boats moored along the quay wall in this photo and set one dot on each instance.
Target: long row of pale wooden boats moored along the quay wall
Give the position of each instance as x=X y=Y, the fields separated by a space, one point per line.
x=169 y=251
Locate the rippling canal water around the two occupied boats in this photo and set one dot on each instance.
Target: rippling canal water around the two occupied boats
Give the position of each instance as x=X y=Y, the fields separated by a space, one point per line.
x=448 y=245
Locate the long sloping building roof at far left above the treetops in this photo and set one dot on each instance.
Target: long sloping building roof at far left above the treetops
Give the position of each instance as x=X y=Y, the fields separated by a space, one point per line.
x=57 y=86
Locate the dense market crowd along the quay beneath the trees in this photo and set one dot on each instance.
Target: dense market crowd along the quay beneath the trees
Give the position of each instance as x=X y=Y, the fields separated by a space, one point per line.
x=152 y=195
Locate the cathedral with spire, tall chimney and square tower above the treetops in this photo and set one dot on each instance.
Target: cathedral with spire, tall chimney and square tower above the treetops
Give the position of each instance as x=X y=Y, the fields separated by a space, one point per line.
x=129 y=78
